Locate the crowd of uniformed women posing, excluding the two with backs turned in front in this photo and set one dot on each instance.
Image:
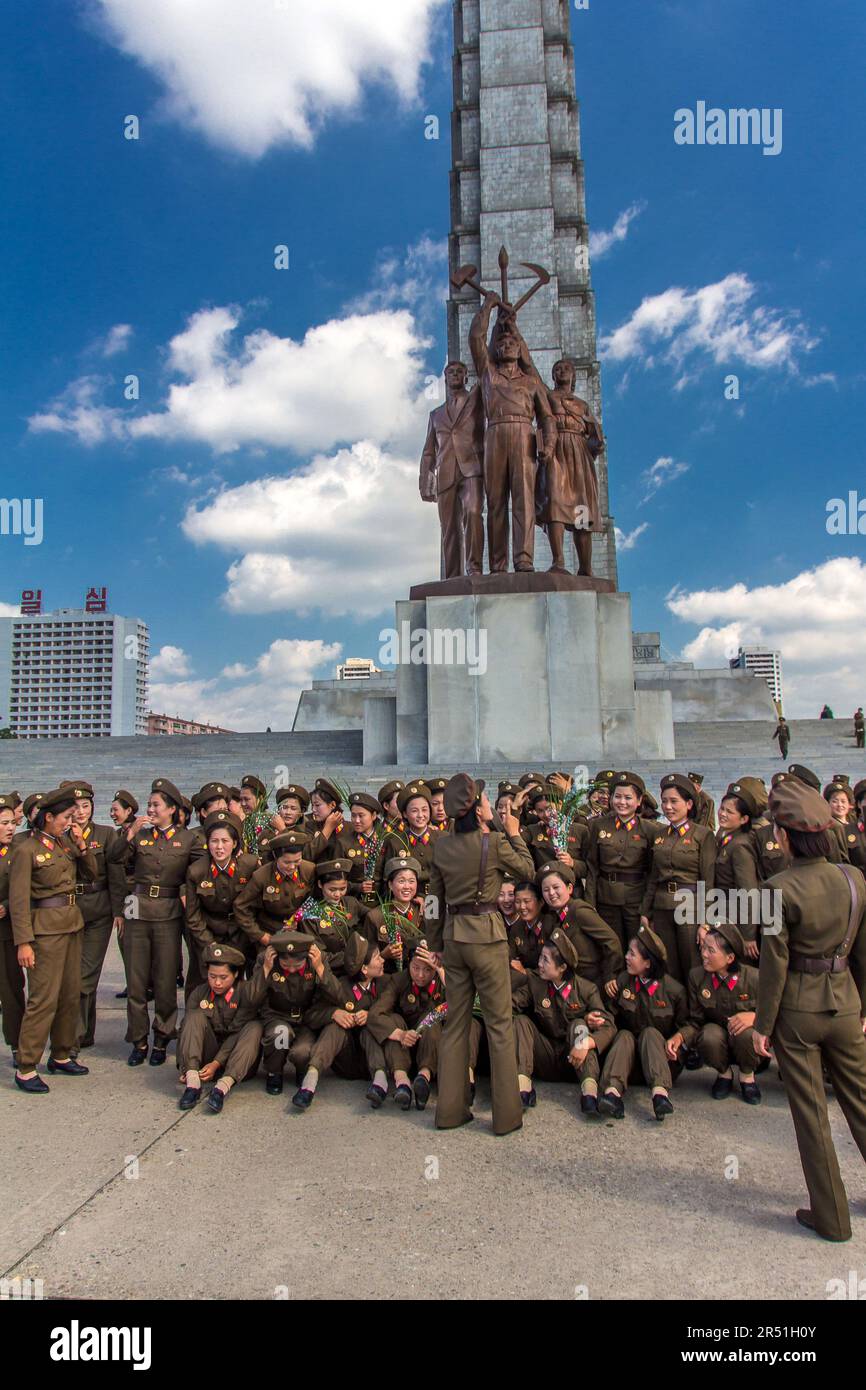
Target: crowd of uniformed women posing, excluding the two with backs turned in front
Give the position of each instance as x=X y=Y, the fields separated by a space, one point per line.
x=305 y=932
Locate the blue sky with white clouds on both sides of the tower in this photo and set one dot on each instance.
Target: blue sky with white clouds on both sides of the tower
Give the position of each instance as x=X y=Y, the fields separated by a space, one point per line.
x=156 y=258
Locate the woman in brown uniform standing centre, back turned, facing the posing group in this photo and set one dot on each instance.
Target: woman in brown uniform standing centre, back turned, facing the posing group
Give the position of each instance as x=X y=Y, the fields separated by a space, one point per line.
x=466 y=878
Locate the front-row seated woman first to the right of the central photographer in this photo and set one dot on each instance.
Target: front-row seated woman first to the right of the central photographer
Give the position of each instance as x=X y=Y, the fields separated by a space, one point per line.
x=562 y=1027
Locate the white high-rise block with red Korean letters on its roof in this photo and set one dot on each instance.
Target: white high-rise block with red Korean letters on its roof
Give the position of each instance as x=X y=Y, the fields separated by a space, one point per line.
x=73 y=673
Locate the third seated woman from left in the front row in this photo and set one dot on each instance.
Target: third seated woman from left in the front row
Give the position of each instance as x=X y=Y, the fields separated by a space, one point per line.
x=347 y=1045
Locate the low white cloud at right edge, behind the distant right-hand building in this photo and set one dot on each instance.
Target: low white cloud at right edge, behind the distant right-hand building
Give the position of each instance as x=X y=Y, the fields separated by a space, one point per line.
x=814 y=619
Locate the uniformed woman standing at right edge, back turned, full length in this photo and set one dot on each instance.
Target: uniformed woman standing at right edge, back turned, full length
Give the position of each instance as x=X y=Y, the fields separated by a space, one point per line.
x=812 y=997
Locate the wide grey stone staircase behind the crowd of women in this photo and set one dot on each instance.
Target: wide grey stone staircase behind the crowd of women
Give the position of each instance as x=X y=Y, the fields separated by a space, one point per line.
x=722 y=751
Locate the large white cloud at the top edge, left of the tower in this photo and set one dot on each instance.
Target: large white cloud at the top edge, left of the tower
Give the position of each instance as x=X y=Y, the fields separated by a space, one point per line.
x=255 y=74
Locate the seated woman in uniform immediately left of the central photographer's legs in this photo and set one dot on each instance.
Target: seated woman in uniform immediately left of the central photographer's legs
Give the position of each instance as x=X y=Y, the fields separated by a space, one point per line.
x=408 y=1000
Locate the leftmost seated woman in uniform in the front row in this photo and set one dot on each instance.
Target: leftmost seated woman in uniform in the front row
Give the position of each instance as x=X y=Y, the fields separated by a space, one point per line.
x=220 y=1031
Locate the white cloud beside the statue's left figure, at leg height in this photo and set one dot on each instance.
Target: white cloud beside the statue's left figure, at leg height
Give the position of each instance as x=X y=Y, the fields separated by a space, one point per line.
x=308 y=539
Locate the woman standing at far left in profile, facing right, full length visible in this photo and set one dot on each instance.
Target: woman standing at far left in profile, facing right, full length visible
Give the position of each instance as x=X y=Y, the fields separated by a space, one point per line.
x=48 y=929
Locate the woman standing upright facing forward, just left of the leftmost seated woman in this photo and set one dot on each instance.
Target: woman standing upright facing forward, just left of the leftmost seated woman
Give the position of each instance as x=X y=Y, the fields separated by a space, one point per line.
x=158 y=858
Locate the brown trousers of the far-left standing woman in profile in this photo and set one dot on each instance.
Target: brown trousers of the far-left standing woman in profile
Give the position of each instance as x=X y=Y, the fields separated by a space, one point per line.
x=54 y=999
